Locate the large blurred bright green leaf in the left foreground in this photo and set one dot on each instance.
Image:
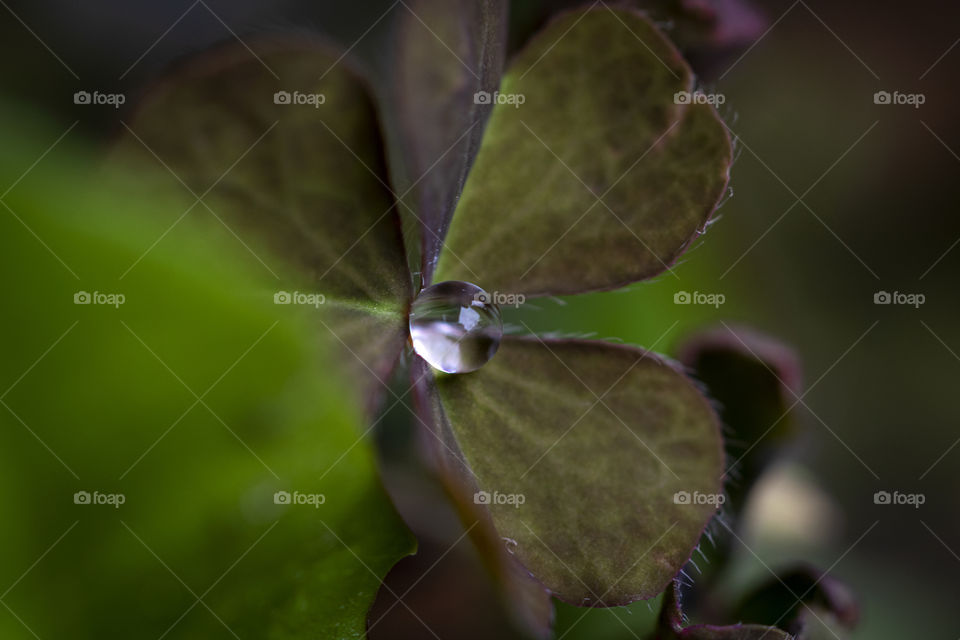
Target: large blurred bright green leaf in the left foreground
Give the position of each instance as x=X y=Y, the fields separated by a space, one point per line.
x=196 y=399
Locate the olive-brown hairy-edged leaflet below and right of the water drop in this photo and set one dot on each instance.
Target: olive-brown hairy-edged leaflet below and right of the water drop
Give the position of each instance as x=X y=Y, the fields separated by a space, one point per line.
x=581 y=448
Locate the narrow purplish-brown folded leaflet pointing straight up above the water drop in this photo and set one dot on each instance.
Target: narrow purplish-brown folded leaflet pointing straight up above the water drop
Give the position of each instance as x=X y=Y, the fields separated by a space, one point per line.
x=445 y=53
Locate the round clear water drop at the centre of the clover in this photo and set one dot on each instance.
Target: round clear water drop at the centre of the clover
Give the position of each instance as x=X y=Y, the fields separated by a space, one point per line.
x=455 y=326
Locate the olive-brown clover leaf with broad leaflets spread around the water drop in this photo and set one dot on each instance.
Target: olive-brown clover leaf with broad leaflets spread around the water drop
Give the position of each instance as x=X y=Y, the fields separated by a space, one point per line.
x=591 y=174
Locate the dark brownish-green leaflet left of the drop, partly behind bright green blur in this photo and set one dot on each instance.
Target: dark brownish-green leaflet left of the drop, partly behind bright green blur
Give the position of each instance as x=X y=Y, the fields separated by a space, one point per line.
x=302 y=186
